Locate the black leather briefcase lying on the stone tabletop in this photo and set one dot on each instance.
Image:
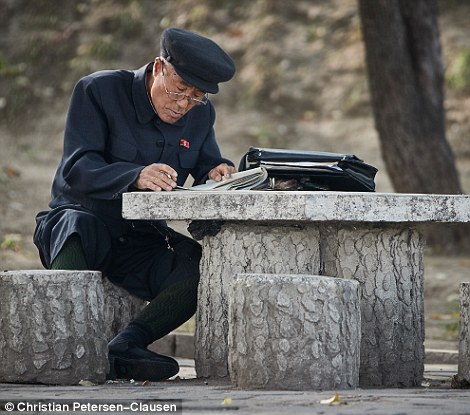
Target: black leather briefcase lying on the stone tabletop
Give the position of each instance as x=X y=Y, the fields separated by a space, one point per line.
x=313 y=170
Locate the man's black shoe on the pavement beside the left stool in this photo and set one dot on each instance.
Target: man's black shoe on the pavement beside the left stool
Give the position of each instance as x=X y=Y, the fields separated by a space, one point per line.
x=130 y=361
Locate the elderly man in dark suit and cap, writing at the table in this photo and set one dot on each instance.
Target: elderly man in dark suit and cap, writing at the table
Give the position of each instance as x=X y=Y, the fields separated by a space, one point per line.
x=147 y=129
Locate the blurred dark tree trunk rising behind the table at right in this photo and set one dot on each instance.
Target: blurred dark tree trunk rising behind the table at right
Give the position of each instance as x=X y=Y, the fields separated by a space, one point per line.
x=406 y=85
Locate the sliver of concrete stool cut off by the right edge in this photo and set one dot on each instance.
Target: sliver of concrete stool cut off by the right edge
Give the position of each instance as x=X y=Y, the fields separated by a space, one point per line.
x=464 y=343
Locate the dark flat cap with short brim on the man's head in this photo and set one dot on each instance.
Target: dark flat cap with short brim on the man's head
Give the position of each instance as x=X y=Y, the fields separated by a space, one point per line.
x=198 y=60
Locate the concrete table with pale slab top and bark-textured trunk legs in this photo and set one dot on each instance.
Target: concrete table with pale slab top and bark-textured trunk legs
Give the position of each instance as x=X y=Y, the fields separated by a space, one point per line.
x=369 y=237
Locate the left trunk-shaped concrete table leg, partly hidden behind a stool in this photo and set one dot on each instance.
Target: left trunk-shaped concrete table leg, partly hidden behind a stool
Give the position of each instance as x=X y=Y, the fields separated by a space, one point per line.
x=243 y=248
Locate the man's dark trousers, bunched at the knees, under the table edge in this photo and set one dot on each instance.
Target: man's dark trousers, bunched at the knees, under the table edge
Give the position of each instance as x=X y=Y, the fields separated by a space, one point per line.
x=144 y=257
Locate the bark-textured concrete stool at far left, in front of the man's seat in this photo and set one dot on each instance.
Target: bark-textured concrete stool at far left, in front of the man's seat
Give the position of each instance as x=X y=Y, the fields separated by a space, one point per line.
x=51 y=327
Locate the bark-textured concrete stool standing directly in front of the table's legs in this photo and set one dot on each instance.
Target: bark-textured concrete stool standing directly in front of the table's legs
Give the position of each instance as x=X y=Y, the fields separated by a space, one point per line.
x=294 y=332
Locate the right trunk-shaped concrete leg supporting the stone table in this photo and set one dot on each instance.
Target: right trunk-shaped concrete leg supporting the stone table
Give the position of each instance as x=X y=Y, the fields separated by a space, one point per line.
x=387 y=260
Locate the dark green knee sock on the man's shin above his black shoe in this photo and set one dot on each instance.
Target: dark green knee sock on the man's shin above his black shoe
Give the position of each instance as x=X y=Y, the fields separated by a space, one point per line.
x=171 y=308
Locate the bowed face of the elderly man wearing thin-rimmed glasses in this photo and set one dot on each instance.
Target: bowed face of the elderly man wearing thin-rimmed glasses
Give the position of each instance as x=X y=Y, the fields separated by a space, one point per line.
x=171 y=96
